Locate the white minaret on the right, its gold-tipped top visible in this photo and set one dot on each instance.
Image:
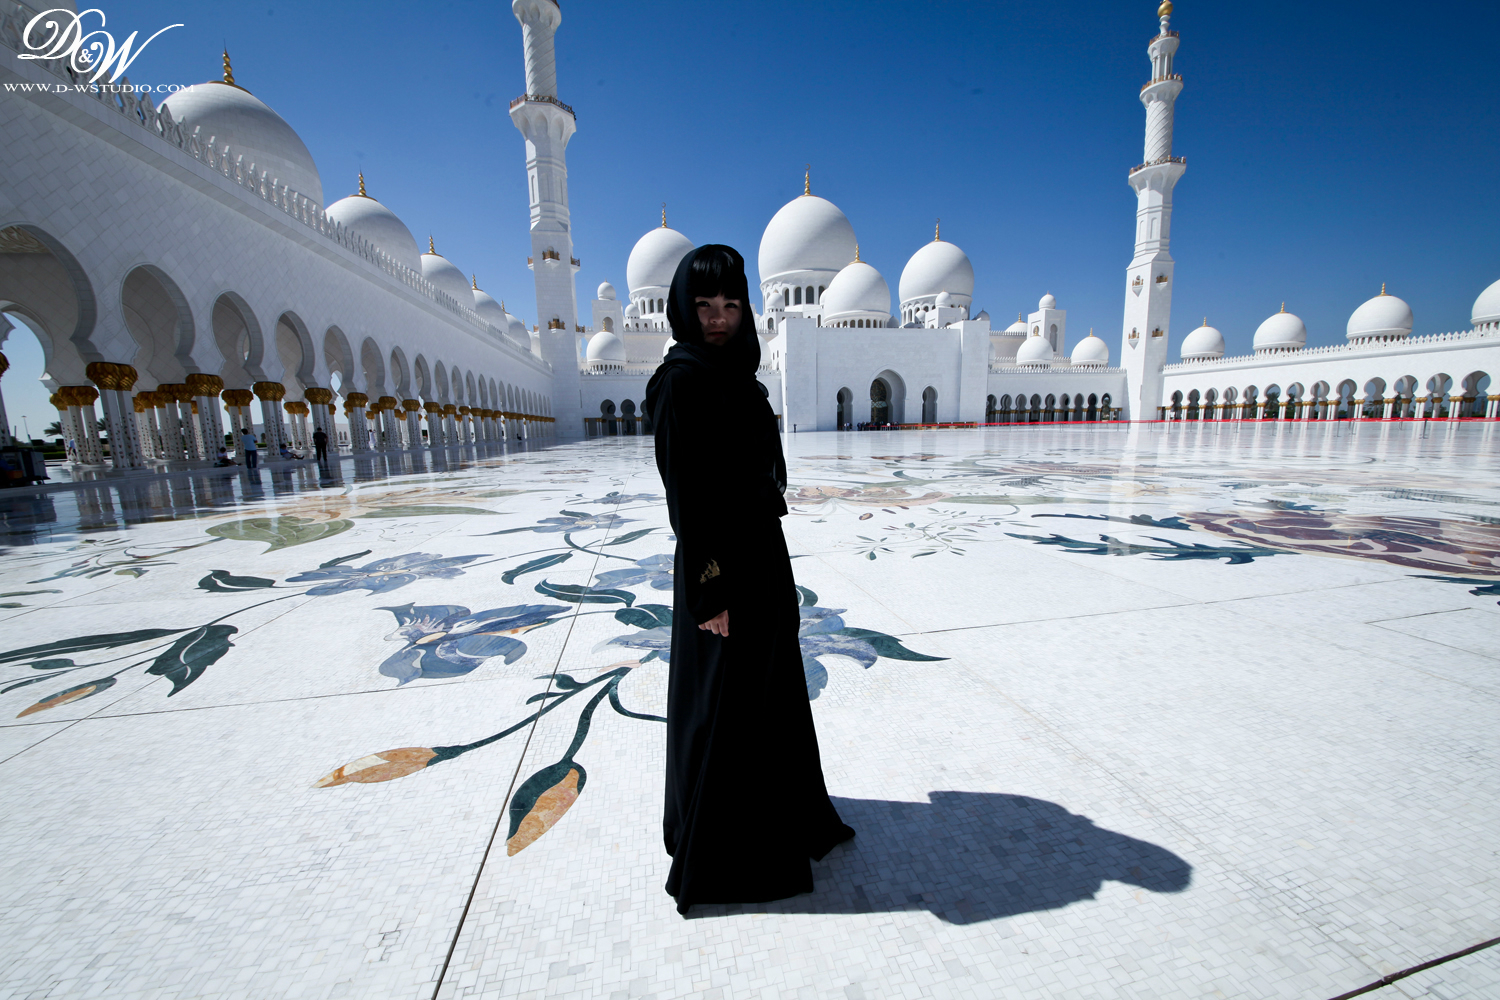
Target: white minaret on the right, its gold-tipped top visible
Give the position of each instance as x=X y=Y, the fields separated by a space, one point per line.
x=1148 y=281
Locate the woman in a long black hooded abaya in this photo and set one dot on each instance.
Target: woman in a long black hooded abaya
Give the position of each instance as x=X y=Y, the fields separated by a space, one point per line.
x=746 y=804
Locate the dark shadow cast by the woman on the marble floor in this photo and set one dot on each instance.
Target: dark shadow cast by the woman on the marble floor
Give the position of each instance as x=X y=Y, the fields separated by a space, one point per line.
x=971 y=857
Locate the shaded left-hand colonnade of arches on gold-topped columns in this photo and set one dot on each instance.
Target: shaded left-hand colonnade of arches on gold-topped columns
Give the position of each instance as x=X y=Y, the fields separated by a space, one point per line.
x=188 y=374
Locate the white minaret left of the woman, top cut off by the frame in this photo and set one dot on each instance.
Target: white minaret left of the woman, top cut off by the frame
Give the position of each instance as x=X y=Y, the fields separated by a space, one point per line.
x=548 y=125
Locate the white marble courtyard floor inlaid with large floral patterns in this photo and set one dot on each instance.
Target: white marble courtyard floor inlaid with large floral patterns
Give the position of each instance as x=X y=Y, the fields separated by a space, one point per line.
x=1195 y=711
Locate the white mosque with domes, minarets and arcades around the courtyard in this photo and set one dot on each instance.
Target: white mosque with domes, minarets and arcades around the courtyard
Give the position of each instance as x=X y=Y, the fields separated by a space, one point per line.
x=278 y=298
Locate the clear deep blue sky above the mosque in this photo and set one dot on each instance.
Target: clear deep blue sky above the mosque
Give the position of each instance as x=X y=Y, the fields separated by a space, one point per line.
x=1331 y=146
